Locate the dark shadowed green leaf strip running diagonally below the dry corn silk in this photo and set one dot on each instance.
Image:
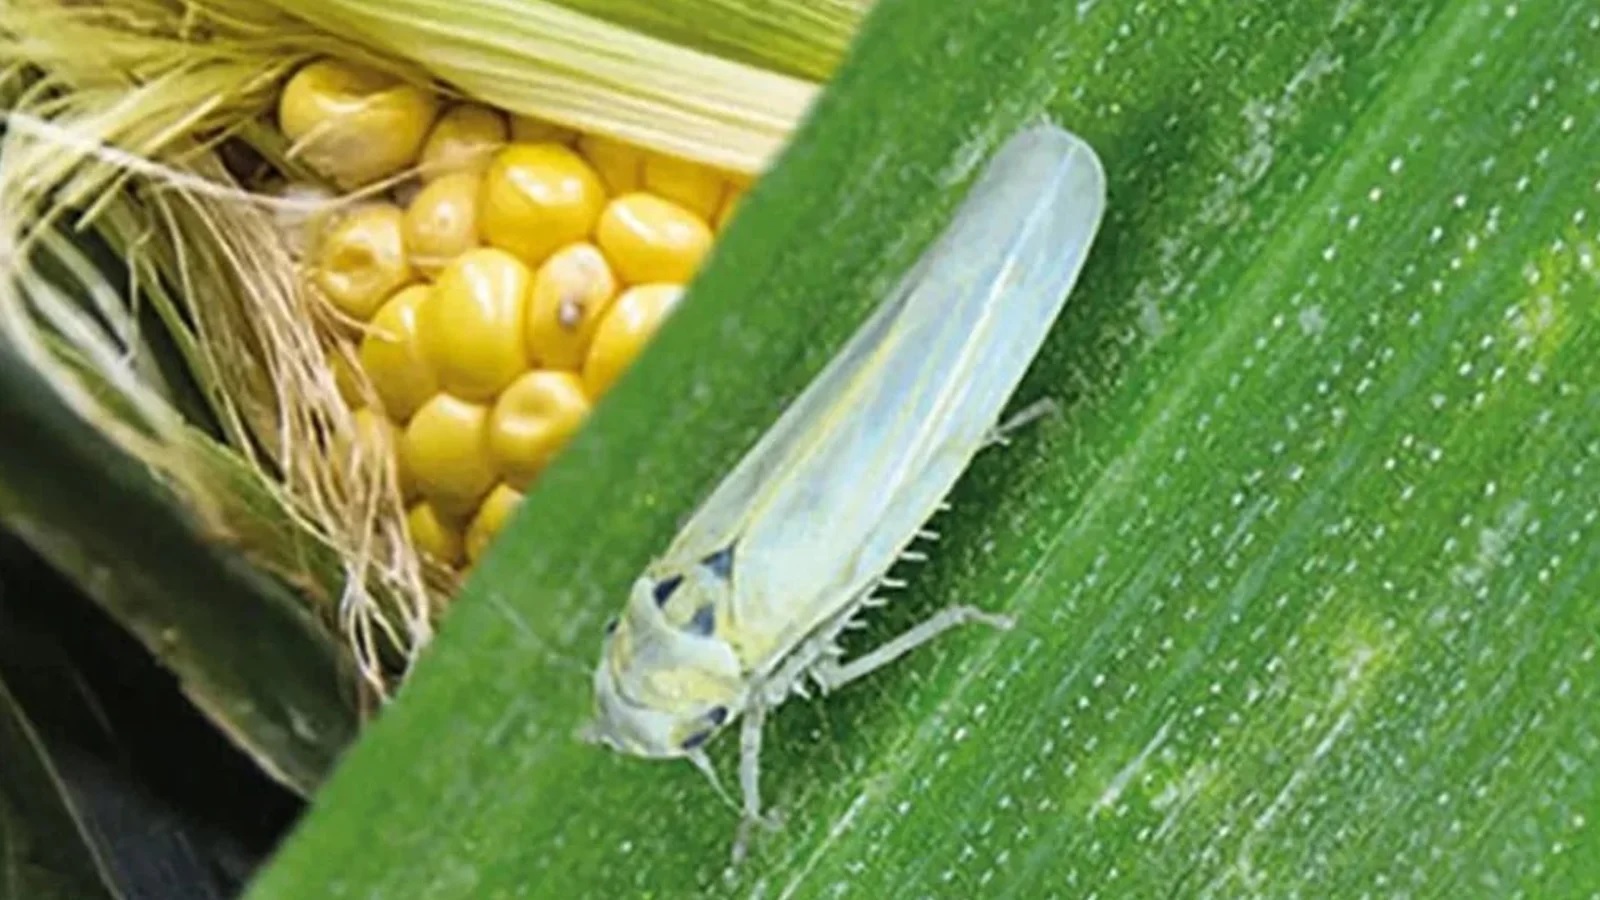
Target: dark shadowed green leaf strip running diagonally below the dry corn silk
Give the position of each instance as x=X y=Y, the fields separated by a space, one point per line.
x=246 y=649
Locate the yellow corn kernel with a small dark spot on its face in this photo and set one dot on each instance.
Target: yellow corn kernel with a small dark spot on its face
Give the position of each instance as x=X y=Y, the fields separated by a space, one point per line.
x=570 y=294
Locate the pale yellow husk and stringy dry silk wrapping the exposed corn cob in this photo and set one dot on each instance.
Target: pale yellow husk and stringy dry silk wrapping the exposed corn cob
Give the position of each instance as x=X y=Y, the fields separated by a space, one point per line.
x=138 y=143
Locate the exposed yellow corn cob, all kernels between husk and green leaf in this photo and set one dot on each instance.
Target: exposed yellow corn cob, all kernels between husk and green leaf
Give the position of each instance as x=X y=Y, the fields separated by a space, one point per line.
x=502 y=287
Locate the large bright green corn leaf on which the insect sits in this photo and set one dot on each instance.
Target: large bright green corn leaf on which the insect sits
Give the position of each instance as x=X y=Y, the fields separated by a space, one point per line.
x=1306 y=571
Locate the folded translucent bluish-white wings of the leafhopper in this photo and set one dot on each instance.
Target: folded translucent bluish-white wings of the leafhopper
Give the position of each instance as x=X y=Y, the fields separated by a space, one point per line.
x=826 y=502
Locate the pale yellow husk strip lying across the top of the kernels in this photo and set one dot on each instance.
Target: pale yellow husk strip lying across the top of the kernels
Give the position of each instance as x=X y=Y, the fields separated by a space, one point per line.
x=591 y=76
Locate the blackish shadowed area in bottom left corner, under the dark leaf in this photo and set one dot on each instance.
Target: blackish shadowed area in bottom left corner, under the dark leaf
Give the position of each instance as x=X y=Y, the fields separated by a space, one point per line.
x=170 y=810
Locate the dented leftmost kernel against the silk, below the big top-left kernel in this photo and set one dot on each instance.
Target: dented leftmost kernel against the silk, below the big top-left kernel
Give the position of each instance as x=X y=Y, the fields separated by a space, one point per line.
x=362 y=260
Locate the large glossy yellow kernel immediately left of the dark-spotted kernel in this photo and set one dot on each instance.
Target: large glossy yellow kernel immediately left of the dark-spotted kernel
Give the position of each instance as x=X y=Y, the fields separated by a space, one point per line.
x=473 y=326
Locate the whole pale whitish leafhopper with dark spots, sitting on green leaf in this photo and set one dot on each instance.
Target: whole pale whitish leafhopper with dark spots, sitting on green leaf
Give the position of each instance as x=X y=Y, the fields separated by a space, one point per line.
x=748 y=603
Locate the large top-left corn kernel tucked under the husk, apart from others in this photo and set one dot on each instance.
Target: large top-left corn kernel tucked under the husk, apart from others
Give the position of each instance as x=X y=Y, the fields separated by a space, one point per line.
x=353 y=124
